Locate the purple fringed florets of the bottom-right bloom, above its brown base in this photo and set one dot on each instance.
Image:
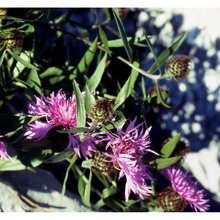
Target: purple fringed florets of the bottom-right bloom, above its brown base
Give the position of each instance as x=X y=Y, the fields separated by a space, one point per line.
x=186 y=187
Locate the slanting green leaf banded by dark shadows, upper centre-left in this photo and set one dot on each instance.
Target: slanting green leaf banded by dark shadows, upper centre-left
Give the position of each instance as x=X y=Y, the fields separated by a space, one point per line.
x=86 y=60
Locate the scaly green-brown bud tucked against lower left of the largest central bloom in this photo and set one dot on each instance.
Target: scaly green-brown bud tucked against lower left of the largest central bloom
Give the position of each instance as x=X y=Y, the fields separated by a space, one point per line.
x=101 y=164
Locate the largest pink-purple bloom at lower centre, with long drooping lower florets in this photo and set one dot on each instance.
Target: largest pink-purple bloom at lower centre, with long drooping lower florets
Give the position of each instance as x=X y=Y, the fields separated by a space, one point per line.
x=128 y=148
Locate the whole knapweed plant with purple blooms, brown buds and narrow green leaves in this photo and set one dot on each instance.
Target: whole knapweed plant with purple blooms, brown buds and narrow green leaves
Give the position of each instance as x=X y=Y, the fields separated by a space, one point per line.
x=74 y=95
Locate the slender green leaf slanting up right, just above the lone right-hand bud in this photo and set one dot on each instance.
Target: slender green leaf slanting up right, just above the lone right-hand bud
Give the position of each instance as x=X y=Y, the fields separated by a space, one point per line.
x=166 y=53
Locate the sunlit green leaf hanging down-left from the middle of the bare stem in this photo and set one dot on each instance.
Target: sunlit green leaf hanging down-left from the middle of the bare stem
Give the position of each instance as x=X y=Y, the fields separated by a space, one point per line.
x=127 y=87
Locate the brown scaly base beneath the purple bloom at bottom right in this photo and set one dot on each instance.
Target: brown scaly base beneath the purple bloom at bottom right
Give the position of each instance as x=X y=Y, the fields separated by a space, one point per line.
x=170 y=201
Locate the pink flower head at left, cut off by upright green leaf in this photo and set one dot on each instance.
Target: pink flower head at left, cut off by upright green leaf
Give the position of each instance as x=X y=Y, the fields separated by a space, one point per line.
x=58 y=110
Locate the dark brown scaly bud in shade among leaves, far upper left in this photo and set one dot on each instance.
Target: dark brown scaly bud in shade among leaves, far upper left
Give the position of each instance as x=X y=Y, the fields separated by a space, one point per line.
x=15 y=40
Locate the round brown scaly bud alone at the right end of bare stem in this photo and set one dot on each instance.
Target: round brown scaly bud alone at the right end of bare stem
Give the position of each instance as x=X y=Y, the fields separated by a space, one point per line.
x=179 y=66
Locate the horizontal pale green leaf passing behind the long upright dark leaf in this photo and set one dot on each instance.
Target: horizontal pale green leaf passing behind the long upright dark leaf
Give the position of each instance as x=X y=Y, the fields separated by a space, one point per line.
x=131 y=40
